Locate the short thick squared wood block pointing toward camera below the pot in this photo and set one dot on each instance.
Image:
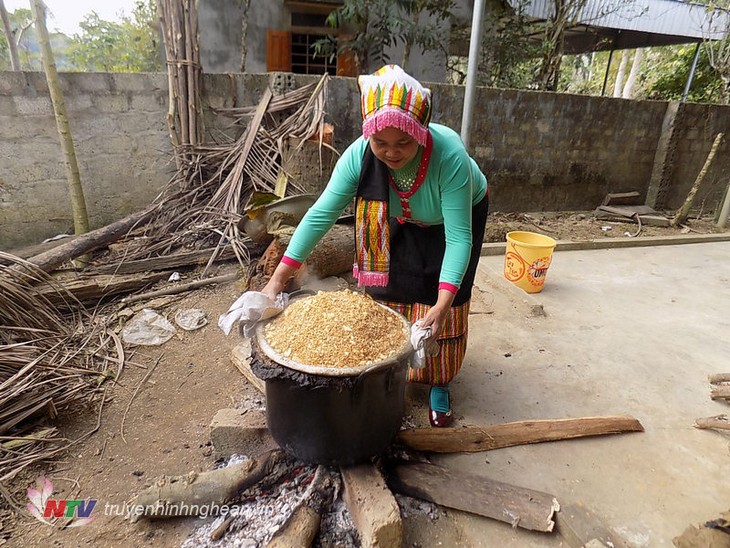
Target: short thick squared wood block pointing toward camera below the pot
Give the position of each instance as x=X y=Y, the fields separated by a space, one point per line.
x=373 y=507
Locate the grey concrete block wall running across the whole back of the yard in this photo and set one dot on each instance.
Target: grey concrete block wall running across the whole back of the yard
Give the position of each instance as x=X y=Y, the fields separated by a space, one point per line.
x=540 y=151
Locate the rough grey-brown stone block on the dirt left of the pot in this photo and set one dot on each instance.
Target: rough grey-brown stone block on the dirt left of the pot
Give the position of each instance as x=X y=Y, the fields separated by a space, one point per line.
x=240 y=431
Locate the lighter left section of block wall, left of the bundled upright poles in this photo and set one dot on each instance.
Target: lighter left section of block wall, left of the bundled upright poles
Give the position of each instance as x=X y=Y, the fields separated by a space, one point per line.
x=122 y=148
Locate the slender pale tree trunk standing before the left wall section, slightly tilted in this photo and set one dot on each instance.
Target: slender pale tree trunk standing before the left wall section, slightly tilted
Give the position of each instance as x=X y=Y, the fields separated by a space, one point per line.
x=78 y=202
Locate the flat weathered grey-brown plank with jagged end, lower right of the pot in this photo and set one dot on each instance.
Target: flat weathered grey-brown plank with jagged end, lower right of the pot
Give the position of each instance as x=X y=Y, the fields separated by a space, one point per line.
x=518 y=506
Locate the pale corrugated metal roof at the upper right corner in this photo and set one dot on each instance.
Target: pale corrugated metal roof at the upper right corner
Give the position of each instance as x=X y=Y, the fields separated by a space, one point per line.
x=668 y=21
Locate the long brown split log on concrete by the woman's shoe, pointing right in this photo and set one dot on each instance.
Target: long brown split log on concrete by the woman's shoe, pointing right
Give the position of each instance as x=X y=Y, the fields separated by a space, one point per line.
x=496 y=436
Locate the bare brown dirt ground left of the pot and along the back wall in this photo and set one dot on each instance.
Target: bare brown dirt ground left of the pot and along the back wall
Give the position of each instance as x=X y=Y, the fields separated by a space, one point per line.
x=179 y=387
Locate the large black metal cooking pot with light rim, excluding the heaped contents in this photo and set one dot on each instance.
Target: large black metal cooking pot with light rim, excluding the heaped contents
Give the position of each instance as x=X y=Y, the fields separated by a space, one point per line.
x=341 y=418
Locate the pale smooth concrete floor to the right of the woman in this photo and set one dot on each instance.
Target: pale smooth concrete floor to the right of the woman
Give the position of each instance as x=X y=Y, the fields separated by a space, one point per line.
x=625 y=331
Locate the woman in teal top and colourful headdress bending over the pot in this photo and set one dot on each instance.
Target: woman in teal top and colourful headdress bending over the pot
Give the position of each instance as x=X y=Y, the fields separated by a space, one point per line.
x=420 y=211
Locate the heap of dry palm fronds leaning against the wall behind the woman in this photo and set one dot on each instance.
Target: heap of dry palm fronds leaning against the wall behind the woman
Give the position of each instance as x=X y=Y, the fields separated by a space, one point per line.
x=204 y=201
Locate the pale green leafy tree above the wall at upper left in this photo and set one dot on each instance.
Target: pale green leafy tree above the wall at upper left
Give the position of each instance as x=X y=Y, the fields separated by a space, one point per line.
x=128 y=46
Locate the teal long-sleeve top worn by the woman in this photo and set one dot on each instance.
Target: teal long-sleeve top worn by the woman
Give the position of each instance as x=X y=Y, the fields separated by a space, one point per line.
x=453 y=184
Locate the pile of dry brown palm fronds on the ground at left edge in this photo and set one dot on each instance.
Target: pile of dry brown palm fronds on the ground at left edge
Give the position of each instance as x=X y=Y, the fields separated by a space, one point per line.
x=49 y=360
